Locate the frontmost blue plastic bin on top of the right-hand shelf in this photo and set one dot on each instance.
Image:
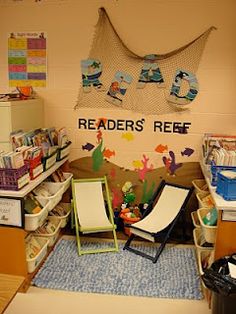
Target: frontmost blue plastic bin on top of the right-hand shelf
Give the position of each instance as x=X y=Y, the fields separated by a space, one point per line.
x=226 y=185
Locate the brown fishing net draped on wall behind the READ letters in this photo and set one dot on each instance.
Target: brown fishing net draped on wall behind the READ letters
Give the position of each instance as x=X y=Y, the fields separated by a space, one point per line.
x=109 y=49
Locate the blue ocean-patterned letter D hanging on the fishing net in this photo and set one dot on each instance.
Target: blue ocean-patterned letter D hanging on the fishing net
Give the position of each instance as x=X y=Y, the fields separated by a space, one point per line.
x=183 y=98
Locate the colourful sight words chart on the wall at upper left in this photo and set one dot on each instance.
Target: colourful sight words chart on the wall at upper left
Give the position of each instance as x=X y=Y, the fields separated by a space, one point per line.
x=27 y=59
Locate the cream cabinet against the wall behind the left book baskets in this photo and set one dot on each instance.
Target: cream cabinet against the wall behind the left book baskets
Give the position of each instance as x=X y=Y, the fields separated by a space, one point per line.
x=19 y=114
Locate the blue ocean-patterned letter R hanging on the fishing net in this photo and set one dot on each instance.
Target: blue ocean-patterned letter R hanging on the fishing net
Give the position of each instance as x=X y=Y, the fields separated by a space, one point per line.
x=91 y=71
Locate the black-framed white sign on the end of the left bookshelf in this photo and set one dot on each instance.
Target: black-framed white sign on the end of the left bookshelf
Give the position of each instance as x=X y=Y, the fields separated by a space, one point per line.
x=11 y=212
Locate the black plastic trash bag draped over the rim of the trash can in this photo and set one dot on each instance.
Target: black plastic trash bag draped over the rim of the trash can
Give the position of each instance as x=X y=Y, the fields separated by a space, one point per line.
x=217 y=277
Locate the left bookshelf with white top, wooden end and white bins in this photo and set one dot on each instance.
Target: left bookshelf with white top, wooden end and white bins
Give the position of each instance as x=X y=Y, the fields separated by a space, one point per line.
x=14 y=240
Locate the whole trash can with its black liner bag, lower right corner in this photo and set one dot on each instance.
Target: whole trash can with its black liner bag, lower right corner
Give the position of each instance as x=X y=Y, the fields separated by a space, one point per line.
x=219 y=278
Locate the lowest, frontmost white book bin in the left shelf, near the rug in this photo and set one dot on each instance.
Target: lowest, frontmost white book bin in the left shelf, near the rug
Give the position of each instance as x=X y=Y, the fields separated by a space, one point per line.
x=36 y=250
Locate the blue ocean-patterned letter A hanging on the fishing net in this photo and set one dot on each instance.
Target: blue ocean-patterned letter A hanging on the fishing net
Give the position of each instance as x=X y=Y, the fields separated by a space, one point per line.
x=150 y=72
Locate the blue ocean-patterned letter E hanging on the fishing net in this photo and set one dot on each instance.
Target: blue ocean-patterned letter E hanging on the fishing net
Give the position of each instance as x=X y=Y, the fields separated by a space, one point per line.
x=118 y=88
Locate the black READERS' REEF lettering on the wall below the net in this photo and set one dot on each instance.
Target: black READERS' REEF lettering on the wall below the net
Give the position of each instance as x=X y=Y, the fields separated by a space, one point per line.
x=133 y=125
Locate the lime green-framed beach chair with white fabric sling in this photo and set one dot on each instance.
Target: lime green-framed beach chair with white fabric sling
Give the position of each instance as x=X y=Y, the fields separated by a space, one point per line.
x=90 y=213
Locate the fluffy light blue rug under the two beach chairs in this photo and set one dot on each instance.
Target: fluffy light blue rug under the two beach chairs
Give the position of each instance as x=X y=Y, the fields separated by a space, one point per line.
x=124 y=273
